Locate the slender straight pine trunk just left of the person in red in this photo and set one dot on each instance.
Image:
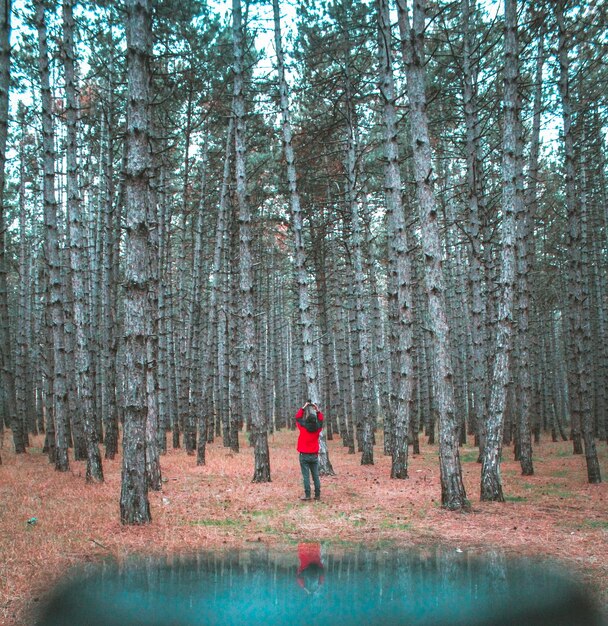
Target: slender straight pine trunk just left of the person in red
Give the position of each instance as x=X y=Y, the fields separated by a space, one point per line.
x=259 y=433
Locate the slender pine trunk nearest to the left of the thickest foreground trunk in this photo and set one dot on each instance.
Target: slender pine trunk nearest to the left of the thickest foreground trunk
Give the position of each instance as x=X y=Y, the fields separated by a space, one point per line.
x=78 y=255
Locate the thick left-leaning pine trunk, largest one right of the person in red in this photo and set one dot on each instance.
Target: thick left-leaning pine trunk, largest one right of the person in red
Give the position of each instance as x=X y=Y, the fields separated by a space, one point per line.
x=453 y=496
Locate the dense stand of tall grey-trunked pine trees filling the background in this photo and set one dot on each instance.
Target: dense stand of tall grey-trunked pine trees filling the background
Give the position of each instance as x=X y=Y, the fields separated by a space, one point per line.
x=212 y=212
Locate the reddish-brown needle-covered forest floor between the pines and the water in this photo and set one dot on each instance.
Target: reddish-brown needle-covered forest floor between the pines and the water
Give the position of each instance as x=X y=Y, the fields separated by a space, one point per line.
x=52 y=522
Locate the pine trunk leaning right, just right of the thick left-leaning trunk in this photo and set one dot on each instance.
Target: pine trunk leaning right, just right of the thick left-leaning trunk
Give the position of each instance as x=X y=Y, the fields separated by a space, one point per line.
x=491 y=483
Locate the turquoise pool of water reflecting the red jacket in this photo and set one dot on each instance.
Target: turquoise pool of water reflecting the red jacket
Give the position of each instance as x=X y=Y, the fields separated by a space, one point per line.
x=438 y=587
